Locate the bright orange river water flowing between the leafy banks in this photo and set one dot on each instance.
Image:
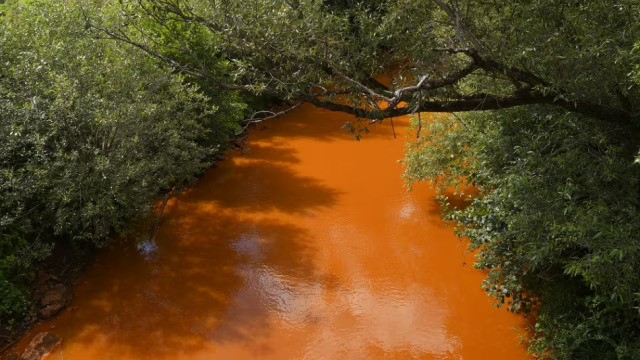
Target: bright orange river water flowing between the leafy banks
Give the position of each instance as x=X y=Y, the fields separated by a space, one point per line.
x=305 y=245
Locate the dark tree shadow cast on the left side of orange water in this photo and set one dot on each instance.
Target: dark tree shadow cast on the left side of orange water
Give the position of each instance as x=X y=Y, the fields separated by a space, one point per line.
x=206 y=281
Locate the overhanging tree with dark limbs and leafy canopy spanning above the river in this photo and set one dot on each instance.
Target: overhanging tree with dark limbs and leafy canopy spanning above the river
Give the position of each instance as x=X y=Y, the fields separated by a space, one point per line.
x=446 y=56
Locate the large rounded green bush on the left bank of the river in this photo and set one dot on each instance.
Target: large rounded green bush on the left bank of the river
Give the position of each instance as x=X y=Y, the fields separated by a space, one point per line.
x=92 y=132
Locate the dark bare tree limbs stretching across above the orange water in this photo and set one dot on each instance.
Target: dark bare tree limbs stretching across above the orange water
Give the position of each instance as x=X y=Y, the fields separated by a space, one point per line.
x=531 y=89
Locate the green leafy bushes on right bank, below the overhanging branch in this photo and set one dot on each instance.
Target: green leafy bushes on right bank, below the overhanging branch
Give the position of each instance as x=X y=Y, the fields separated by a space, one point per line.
x=555 y=221
